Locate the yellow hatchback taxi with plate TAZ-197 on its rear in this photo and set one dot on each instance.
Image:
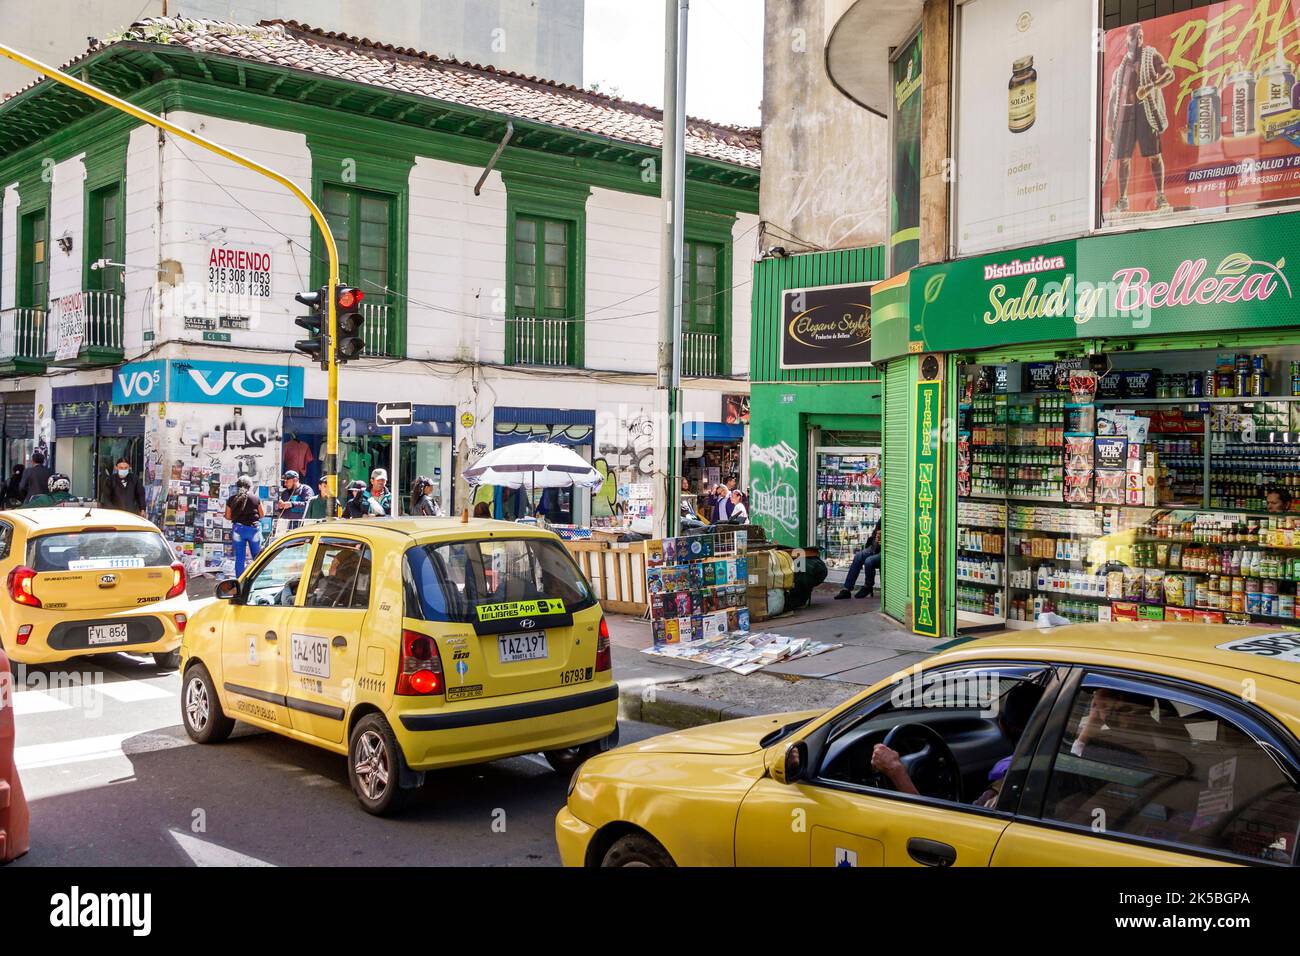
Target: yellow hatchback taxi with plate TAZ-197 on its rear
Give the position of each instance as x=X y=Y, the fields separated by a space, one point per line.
x=408 y=644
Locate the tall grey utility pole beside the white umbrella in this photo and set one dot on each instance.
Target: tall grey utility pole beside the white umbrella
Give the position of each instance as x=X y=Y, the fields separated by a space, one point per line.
x=674 y=193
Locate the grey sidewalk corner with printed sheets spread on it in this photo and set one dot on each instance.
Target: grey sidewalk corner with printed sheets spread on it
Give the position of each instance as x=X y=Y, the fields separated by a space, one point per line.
x=684 y=694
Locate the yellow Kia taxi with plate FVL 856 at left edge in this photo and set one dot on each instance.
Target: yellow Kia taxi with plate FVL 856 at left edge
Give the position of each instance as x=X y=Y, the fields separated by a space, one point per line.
x=89 y=582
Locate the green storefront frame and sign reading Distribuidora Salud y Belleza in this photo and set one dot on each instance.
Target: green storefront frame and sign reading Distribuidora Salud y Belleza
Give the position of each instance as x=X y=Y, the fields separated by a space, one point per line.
x=1171 y=301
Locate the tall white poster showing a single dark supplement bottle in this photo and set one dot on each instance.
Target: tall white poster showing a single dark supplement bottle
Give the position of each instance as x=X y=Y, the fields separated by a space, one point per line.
x=1024 y=116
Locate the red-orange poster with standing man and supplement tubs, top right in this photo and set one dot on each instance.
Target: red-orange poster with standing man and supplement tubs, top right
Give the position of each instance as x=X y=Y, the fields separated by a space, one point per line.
x=1199 y=113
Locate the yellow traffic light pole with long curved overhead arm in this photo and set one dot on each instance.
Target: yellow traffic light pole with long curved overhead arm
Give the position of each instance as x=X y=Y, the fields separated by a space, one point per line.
x=318 y=217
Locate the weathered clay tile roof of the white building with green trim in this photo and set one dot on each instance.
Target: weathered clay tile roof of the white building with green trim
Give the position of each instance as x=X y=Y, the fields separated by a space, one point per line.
x=288 y=44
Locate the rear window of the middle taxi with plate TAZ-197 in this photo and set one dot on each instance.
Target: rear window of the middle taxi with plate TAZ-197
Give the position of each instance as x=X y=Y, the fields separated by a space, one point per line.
x=445 y=582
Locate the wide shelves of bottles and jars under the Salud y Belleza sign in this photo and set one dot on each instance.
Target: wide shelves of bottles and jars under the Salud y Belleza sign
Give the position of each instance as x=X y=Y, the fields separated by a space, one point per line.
x=1128 y=494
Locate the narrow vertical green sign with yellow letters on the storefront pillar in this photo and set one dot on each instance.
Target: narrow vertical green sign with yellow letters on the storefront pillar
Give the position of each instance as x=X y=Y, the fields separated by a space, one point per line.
x=926 y=478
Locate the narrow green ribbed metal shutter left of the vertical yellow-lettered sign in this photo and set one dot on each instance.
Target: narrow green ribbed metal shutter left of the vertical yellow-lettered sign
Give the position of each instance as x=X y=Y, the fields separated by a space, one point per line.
x=896 y=501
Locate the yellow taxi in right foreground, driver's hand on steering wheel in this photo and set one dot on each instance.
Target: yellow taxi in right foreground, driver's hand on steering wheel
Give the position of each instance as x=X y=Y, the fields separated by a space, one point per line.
x=1094 y=745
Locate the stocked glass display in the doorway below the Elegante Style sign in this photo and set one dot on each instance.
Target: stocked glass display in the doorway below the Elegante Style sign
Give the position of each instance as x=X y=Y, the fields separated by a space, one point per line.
x=847 y=501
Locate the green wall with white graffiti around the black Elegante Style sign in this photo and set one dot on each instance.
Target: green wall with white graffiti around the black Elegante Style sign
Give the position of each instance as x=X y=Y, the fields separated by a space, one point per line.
x=792 y=410
